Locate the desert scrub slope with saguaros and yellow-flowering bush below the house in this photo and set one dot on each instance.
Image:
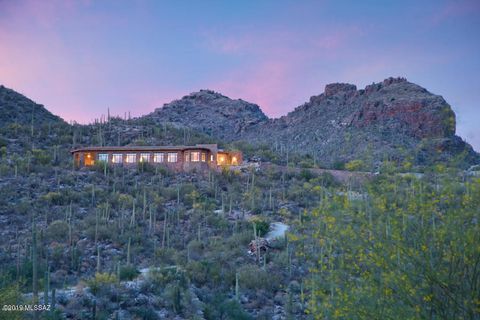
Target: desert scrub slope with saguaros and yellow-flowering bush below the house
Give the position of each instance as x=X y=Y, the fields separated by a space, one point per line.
x=398 y=246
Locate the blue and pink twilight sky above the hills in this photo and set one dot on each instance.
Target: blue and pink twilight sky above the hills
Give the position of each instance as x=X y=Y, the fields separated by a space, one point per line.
x=79 y=58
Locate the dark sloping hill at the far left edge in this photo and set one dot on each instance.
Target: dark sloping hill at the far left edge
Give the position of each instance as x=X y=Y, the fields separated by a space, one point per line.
x=16 y=108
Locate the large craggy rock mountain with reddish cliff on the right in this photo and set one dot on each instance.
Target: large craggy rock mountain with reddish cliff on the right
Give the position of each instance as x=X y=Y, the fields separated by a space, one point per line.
x=393 y=119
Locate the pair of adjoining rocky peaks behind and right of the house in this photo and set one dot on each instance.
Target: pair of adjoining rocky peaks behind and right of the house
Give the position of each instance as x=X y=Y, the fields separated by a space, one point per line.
x=394 y=119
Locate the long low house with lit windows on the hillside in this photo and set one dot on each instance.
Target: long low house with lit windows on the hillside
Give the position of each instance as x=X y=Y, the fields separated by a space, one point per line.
x=179 y=158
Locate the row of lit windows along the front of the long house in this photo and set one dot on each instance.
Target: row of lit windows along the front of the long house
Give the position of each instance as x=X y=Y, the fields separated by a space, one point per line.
x=171 y=157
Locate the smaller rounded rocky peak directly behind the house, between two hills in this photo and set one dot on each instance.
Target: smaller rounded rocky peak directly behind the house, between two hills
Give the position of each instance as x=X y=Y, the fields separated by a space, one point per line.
x=212 y=113
